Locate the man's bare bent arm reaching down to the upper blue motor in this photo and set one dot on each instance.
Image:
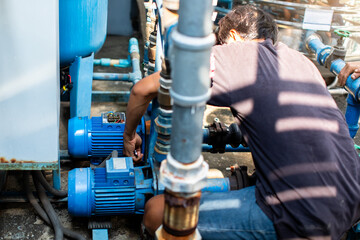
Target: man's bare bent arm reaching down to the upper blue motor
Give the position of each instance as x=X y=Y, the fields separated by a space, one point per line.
x=140 y=97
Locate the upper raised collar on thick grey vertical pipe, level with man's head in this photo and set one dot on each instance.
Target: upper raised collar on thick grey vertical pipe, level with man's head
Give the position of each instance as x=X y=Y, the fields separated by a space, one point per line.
x=192 y=43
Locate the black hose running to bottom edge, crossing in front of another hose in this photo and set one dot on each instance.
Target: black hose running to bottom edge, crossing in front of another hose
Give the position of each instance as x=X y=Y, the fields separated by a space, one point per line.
x=59 y=235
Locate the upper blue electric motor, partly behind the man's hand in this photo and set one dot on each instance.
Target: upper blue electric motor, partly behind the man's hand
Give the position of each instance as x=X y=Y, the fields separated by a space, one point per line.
x=99 y=136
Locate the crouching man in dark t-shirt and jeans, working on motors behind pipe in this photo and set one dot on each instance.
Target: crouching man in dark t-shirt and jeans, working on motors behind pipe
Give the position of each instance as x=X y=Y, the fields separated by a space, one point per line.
x=307 y=167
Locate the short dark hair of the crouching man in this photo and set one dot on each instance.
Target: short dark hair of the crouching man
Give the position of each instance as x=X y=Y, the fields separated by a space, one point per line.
x=250 y=22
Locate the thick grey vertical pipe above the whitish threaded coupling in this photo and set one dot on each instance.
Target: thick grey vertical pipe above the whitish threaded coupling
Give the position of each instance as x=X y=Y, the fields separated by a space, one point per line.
x=191 y=82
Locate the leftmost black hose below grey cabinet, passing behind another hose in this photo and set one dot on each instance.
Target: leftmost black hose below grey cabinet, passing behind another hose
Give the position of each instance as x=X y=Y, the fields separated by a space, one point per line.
x=67 y=232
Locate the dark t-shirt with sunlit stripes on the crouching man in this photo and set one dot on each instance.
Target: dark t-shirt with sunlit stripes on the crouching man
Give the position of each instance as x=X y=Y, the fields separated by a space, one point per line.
x=307 y=167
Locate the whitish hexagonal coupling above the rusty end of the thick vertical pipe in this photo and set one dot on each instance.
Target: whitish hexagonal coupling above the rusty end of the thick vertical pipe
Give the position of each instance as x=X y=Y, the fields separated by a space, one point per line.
x=188 y=178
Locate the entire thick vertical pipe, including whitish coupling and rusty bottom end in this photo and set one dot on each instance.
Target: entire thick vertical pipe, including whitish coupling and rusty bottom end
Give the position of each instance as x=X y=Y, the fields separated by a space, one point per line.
x=183 y=173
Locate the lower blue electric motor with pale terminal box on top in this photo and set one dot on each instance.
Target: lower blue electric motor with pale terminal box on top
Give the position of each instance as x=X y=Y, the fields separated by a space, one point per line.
x=120 y=188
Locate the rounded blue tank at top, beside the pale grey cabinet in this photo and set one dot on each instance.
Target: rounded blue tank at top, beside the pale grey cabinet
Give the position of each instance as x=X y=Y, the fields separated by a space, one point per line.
x=82 y=28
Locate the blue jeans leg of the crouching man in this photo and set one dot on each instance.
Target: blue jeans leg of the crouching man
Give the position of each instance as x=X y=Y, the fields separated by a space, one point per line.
x=233 y=215
